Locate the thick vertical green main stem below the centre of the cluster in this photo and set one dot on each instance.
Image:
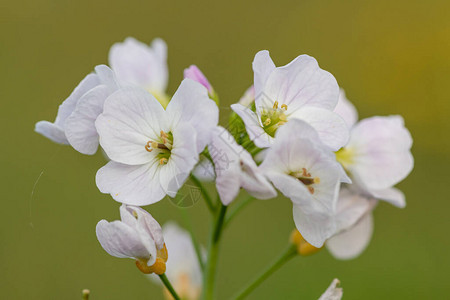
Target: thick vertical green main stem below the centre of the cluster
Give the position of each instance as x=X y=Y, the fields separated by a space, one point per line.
x=211 y=264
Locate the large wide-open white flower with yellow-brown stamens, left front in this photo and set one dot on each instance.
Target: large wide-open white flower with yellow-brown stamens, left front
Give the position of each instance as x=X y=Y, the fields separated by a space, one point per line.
x=152 y=149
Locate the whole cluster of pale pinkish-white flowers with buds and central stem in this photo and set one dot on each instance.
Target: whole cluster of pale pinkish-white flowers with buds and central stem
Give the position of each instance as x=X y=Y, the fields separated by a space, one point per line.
x=293 y=132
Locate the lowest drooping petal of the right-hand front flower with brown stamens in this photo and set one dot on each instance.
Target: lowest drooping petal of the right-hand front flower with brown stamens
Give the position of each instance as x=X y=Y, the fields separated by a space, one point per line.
x=315 y=227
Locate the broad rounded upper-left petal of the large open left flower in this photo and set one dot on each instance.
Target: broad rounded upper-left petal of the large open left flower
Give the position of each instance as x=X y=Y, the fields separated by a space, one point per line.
x=131 y=118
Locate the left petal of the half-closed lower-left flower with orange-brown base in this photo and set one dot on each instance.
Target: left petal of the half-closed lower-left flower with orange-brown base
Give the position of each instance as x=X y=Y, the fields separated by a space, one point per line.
x=120 y=240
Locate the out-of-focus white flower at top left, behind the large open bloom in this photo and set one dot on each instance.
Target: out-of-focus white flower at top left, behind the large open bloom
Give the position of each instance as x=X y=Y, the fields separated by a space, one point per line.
x=138 y=64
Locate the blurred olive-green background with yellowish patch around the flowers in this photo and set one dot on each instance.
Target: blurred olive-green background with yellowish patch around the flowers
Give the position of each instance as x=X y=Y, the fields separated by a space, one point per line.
x=392 y=57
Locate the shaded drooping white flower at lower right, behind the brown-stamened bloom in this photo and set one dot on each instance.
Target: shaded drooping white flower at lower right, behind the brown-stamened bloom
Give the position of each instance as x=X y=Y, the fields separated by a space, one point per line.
x=354 y=224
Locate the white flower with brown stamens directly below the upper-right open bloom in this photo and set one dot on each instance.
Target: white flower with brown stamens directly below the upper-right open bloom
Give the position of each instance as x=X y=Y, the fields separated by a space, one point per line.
x=305 y=170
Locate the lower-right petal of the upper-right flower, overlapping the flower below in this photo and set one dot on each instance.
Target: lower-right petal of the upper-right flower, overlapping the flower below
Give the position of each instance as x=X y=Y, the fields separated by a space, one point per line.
x=332 y=129
